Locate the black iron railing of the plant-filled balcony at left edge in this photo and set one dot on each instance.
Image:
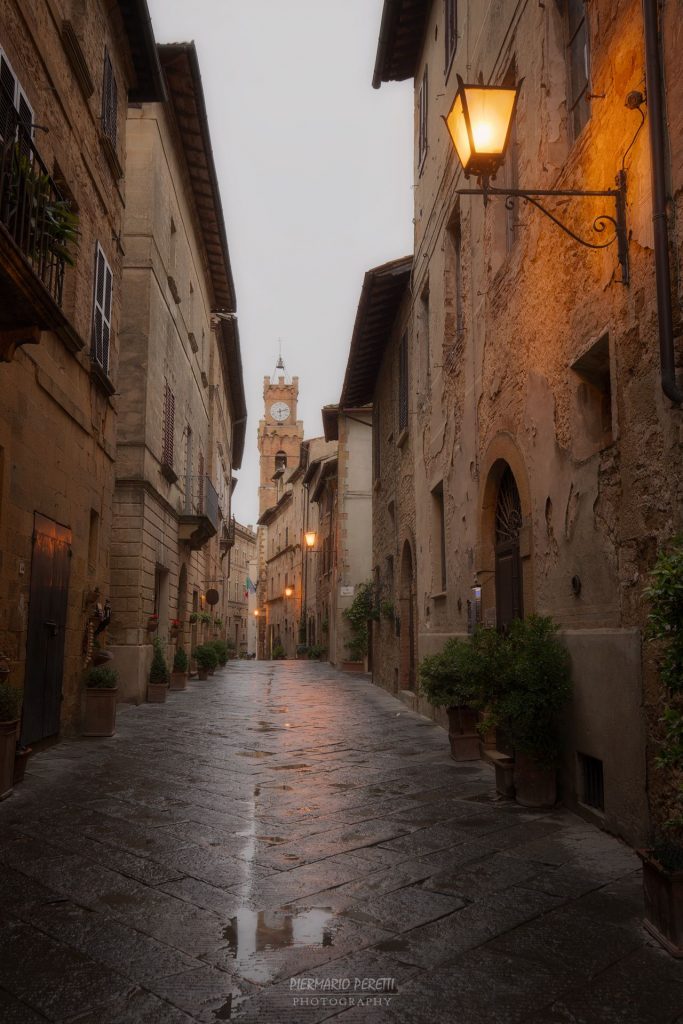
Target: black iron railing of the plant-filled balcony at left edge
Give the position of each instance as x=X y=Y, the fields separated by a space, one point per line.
x=32 y=209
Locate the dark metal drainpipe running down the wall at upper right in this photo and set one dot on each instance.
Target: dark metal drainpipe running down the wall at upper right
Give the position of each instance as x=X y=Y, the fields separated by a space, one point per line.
x=660 y=220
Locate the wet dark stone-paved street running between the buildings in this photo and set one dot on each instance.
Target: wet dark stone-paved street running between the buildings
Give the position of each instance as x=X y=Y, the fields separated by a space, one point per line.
x=287 y=844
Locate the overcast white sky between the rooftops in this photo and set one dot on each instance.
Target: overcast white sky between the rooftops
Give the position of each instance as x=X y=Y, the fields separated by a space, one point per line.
x=316 y=172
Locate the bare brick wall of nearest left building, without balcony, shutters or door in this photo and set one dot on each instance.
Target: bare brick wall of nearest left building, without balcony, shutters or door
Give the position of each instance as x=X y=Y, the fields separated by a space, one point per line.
x=57 y=423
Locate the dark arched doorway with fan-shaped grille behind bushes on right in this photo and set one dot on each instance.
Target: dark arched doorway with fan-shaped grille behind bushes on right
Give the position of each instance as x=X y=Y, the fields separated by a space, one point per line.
x=508 y=564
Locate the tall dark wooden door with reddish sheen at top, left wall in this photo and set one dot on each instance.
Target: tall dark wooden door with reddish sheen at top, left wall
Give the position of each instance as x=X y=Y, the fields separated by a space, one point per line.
x=51 y=566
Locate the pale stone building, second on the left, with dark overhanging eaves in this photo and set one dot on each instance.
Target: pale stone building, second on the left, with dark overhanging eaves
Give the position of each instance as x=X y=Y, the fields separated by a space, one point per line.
x=182 y=409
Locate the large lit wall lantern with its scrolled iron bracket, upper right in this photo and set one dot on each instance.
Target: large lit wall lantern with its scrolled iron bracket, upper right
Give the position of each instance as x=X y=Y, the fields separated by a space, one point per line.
x=480 y=123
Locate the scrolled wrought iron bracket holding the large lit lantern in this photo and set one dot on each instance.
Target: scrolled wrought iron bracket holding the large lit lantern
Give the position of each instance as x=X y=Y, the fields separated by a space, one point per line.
x=600 y=225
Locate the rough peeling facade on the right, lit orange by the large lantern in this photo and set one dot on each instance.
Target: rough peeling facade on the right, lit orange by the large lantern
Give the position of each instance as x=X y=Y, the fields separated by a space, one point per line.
x=547 y=460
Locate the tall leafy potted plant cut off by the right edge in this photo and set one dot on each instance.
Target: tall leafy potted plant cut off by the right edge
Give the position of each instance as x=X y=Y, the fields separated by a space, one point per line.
x=663 y=863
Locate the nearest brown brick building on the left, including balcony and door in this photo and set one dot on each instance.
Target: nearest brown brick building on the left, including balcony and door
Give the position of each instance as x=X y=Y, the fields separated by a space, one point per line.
x=67 y=73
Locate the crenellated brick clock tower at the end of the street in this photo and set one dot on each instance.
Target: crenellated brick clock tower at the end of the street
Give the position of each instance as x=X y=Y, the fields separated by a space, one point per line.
x=280 y=434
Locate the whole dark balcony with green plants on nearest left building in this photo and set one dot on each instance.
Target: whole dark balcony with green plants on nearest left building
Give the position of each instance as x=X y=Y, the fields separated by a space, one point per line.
x=37 y=229
